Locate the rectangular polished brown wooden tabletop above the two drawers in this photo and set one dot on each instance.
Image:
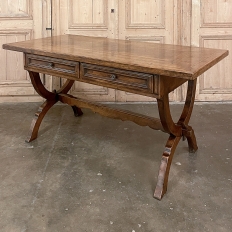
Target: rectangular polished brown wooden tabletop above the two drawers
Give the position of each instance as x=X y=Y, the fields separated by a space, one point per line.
x=163 y=59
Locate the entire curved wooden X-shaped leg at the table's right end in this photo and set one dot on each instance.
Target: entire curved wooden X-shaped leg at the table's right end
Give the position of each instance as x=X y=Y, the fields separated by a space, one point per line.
x=176 y=131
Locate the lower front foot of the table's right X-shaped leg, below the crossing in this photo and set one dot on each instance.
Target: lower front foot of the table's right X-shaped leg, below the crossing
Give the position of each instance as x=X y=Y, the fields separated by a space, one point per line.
x=166 y=161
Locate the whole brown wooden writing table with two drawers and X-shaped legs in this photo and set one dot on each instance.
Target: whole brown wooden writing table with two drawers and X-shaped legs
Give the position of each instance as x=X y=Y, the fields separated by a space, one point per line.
x=147 y=69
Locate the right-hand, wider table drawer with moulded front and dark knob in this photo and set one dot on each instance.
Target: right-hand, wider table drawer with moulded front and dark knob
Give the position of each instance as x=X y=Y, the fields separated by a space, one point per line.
x=117 y=78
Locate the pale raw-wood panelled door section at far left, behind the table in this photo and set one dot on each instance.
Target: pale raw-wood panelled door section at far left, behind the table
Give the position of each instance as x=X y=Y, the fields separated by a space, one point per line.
x=19 y=21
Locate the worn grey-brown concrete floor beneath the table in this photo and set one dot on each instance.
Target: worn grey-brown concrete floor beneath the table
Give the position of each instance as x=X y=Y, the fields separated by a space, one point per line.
x=98 y=174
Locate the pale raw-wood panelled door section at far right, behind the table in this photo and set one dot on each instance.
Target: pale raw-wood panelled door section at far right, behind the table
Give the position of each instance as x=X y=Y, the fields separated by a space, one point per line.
x=212 y=28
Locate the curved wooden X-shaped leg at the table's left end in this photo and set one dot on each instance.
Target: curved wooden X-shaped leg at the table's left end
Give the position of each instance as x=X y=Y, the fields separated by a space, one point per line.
x=51 y=99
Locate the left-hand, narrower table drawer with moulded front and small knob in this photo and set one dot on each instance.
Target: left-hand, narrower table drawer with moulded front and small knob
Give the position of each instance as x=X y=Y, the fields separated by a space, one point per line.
x=52 y=66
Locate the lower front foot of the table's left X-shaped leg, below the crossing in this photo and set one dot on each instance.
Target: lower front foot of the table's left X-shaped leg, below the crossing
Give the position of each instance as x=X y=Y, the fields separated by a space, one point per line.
x=39 y=115
